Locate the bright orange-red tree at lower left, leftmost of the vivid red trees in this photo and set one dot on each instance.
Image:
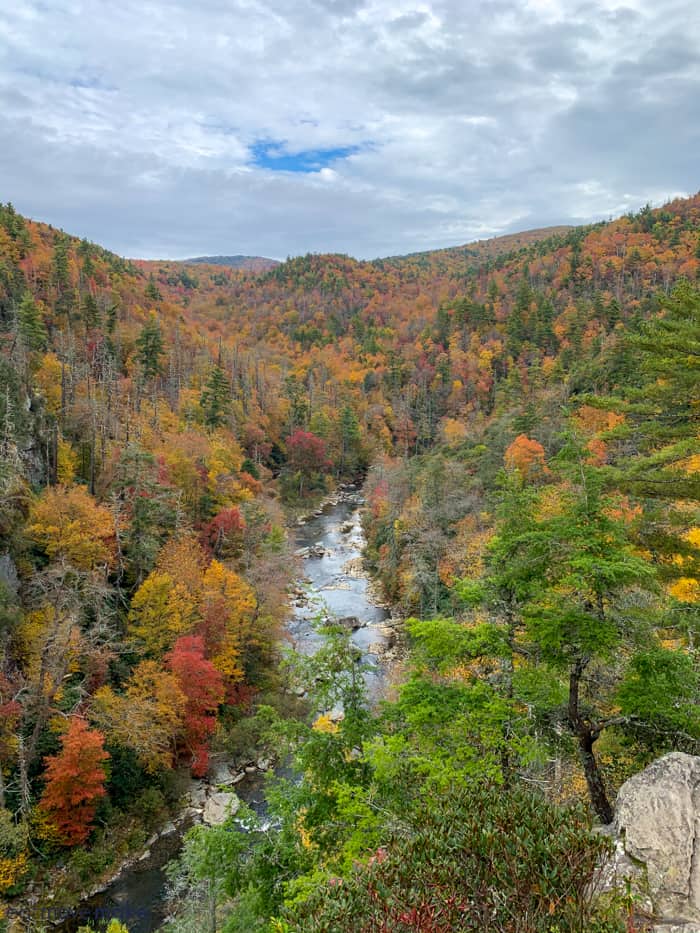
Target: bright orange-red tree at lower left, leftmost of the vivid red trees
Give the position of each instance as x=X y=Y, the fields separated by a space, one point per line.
x=75 y=782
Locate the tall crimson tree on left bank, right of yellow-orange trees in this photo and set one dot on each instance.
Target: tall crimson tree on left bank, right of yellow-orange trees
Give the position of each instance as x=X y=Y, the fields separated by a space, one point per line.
x=203 y=688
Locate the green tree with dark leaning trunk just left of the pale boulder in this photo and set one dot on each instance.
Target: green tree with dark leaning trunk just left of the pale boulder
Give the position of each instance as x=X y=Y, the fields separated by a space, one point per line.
x=580 y=617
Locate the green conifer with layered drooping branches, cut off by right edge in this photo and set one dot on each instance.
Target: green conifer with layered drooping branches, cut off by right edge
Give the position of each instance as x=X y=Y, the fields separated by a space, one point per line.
x=652 y=450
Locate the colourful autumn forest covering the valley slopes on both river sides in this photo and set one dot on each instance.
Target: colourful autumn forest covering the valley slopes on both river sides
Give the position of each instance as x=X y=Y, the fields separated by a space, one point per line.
x=525 y=413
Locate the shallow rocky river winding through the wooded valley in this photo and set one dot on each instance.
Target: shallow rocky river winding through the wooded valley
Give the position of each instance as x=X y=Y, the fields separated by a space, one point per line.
x=330 y=544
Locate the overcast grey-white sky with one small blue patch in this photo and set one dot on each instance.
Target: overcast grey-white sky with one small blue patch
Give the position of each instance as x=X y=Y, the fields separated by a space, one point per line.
x=175 y=128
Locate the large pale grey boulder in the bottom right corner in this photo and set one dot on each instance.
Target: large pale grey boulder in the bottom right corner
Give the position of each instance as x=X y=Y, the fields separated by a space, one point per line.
x=657 y=828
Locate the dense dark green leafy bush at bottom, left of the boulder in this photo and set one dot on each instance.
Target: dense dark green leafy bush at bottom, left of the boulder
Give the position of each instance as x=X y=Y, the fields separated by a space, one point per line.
x=479 y=859
